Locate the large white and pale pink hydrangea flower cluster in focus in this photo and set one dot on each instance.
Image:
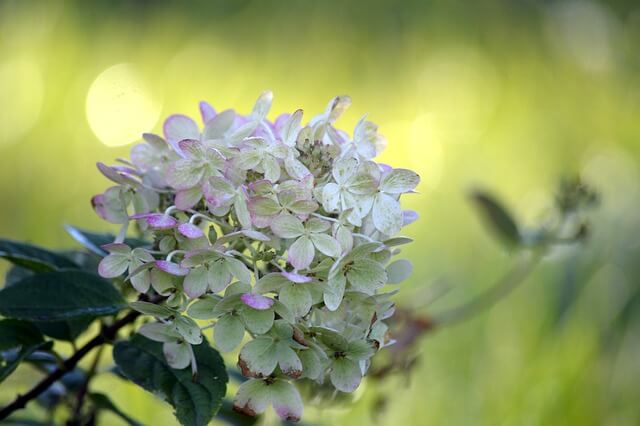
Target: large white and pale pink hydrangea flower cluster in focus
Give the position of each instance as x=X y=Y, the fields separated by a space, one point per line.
x=274 y=230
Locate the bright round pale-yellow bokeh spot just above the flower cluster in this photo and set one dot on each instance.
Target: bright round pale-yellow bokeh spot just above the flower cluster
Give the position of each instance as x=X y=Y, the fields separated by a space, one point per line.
x=121 y=105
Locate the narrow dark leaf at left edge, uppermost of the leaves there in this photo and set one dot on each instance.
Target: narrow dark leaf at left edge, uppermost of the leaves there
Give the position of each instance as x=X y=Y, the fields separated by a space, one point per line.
x=32 y=257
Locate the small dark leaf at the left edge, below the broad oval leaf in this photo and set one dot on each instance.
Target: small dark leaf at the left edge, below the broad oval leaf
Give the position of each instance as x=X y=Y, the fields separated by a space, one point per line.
x=18 y=340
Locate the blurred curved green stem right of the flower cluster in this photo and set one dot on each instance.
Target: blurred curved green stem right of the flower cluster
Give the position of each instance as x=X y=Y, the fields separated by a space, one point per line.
x=505 y=285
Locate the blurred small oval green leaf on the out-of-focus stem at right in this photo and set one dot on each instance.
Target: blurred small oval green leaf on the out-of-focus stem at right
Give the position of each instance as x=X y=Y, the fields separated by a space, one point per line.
x=497 y=218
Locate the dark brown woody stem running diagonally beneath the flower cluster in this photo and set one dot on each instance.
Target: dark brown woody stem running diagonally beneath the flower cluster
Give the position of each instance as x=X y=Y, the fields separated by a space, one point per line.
x=107 y=334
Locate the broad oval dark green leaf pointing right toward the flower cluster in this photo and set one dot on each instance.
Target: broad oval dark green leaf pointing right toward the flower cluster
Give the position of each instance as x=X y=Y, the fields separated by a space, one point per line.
x=61 y=295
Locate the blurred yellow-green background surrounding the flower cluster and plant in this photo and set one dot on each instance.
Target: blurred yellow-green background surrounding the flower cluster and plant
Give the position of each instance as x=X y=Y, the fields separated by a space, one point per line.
x=510 y=95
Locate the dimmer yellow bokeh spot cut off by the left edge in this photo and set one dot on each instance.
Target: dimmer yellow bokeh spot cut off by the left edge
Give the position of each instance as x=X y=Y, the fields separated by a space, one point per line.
x=21 y=94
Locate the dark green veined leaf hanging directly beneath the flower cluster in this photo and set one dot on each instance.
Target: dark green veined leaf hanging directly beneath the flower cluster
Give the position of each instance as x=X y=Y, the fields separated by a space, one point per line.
x=195 y=400
